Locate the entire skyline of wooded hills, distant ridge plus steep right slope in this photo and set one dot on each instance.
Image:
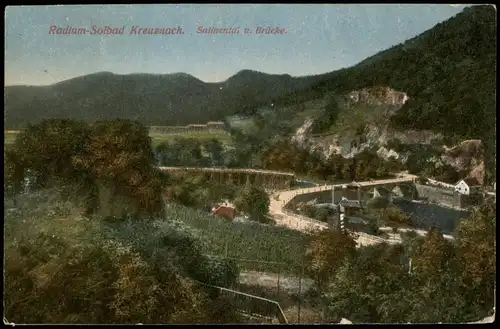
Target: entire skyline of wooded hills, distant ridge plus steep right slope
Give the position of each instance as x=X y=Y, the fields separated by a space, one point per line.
x=448 y=72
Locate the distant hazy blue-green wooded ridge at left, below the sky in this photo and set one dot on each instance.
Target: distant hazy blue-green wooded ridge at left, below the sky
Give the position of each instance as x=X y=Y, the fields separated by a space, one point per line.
x=168 y=99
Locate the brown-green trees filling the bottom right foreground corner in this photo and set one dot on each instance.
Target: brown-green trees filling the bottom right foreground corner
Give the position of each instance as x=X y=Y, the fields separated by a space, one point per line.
x=423 y=280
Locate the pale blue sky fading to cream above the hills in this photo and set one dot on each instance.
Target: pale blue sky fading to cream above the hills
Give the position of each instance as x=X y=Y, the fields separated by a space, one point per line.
x=320 y=38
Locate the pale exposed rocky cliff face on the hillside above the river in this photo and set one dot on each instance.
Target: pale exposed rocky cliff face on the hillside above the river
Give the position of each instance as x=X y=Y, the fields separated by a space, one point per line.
x=378 y=133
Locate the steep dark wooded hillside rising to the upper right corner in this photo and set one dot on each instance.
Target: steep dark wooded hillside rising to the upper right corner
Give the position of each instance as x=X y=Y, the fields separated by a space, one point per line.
x=448 y=73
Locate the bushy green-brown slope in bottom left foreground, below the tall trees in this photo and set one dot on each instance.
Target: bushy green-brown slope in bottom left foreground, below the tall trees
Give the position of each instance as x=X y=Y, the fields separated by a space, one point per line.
x=64 y=268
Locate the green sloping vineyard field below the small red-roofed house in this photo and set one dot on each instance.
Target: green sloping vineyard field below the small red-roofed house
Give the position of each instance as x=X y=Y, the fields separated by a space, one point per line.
x=246 y=240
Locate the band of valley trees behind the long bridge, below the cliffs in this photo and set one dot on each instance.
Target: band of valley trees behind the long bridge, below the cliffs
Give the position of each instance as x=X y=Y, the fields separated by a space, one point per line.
x=268 y=148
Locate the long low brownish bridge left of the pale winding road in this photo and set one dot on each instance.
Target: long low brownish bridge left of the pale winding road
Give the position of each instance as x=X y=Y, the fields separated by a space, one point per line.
x=272 y=180
